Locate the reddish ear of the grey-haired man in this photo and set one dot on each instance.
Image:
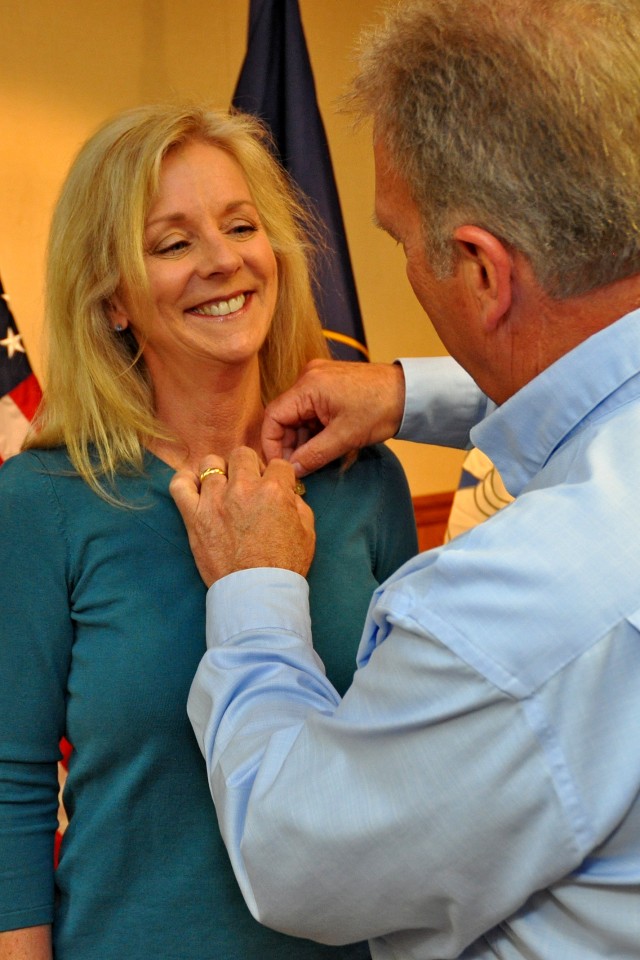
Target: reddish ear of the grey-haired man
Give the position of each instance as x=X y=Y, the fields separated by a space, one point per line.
x=487 y=268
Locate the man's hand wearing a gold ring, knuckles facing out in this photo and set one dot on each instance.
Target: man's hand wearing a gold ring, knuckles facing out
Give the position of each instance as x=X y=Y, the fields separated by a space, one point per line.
x=239 y=516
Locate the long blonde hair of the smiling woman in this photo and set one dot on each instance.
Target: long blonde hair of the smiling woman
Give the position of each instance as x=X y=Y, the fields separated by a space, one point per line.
x=98 y=399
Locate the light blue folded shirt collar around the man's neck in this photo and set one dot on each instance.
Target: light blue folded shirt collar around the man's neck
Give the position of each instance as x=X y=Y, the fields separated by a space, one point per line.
x=520 y=436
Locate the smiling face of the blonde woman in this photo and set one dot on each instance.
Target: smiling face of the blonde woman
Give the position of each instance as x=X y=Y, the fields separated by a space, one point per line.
x=211 y=269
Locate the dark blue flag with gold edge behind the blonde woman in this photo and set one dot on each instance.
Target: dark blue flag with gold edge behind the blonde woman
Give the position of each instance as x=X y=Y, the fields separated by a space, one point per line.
x=276 y=84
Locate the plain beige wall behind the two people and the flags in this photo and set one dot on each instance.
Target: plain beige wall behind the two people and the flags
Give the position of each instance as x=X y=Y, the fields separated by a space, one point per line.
x=65 y=65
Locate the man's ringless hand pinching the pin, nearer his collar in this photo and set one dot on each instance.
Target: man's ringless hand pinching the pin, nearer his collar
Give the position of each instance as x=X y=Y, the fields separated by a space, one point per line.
x=335 y=407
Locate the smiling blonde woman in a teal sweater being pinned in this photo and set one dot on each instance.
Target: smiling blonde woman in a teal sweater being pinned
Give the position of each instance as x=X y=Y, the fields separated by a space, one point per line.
x=178 y=304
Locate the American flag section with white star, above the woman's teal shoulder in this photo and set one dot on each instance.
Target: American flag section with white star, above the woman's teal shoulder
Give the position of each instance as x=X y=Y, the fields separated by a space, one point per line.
x=19 y=390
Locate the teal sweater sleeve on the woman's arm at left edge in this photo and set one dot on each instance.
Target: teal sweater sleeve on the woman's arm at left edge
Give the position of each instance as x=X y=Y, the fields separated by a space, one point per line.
x=36 y=633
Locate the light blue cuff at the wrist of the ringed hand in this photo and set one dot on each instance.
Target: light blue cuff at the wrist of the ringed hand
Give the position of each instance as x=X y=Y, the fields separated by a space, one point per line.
x=263 y=598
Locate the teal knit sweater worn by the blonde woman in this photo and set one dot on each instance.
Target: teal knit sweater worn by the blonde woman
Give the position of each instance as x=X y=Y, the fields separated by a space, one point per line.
x=101 y=631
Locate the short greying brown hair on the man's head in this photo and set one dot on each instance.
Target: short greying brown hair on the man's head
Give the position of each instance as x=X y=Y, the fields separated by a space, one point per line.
x=521 y=117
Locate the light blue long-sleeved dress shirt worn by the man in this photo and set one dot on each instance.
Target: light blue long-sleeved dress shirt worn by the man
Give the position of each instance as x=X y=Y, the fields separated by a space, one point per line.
x=476 y=793
